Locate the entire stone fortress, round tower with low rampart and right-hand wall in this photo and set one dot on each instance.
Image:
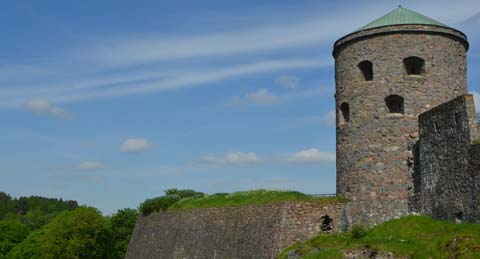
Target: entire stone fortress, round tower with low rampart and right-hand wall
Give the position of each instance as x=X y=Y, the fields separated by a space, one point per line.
x=407 y=143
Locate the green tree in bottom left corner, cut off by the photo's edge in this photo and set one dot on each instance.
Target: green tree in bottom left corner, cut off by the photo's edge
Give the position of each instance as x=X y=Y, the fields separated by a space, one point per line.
x=12 y=232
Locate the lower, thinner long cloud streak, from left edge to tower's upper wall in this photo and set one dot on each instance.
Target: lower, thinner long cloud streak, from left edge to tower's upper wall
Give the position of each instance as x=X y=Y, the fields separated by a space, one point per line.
x=104 y=89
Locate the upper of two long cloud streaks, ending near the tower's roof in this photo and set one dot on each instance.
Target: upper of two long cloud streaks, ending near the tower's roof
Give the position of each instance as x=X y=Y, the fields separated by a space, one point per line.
x=155 y=49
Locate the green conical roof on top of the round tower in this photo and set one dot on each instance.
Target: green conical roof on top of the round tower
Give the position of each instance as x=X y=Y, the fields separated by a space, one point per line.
x=402 y=16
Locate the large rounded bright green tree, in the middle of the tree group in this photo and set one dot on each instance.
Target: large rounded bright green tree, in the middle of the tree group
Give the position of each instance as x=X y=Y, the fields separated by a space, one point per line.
x=77 y=234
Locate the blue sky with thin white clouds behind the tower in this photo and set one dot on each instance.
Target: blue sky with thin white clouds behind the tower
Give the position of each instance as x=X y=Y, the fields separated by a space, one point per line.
x=112 y=102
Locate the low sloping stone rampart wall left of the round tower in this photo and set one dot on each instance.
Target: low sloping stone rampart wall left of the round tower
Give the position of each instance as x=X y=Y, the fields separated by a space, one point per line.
x=245 y=232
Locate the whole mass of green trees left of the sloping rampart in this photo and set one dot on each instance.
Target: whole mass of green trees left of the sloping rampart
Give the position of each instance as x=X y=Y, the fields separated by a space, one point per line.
x=41 y=228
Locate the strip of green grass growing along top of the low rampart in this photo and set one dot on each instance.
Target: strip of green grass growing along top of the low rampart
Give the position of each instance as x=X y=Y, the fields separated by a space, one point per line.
x=254 y=197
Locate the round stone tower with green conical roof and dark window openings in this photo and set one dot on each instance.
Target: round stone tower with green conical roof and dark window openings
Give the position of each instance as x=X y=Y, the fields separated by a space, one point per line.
x=387 y=73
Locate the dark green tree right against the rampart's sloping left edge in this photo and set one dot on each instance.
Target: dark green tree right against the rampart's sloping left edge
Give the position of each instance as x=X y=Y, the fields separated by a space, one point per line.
x=121 y=228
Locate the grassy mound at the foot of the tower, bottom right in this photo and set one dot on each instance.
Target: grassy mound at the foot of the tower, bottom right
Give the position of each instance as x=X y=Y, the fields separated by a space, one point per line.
x=411 y=237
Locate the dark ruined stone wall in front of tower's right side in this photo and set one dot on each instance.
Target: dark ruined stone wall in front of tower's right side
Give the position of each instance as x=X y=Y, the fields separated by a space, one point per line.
x=448 y=173
